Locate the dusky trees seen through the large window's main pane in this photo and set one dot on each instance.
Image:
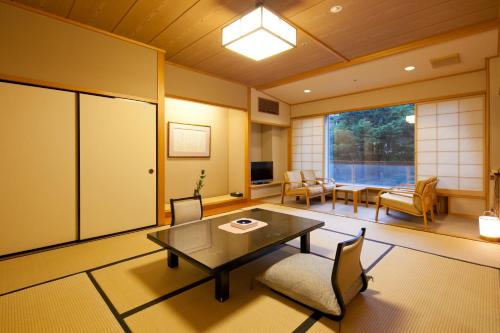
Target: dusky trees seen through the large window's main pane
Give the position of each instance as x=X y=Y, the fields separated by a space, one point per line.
x=378 y=135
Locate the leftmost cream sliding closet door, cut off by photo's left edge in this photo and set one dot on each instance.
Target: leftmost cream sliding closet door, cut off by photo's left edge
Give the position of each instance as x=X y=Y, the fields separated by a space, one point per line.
x=37 y=167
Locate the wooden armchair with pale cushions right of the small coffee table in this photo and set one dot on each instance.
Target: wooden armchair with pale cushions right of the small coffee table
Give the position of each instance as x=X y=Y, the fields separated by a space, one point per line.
x=417 y=202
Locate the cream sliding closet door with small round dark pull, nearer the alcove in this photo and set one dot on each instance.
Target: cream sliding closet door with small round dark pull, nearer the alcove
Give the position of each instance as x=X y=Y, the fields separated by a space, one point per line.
x=117 y=165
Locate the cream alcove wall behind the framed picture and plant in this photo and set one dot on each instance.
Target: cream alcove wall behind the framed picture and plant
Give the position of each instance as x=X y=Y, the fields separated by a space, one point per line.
x=225 y=167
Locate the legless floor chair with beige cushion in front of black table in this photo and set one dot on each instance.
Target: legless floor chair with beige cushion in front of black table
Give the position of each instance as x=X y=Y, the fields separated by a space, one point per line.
x=320 y=283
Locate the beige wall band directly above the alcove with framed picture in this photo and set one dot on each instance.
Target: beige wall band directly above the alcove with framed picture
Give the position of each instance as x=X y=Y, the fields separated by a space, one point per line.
x=184 y=83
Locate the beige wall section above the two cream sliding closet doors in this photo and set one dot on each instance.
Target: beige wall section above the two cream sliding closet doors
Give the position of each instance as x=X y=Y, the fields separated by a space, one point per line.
x=40 y=48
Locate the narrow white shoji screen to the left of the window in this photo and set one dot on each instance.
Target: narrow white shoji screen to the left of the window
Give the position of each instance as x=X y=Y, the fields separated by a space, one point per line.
x=308 y=144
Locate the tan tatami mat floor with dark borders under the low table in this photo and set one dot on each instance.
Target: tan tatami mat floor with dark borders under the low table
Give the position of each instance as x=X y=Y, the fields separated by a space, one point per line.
x=123 y=283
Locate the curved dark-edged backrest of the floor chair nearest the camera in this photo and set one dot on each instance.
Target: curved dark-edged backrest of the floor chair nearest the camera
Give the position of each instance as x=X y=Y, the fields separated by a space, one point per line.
x=348 y=276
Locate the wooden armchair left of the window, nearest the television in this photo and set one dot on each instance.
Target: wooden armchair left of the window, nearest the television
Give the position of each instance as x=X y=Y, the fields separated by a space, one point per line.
x=294 y=186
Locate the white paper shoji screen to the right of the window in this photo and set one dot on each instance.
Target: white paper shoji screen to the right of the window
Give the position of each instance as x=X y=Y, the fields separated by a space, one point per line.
x=450 y=145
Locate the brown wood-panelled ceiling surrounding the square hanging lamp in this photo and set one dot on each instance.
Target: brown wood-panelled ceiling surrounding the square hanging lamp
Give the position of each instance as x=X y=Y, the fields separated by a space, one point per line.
x=190 y=30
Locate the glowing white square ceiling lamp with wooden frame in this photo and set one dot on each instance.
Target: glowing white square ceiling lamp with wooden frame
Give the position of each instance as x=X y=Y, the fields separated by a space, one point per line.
x=259 y=34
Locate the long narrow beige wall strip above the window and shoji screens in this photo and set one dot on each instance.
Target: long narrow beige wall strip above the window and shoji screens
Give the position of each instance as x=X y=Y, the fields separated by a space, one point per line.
x=453 y=85
